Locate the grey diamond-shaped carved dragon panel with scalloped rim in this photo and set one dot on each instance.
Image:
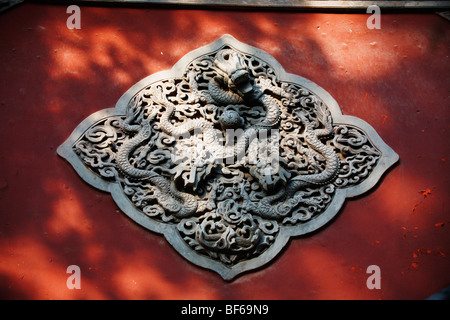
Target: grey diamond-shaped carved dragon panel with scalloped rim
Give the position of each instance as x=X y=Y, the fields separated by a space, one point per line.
x=228 y=156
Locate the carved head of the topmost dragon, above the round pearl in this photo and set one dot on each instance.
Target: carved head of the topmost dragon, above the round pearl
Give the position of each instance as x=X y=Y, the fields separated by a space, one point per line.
x=232 y=64
